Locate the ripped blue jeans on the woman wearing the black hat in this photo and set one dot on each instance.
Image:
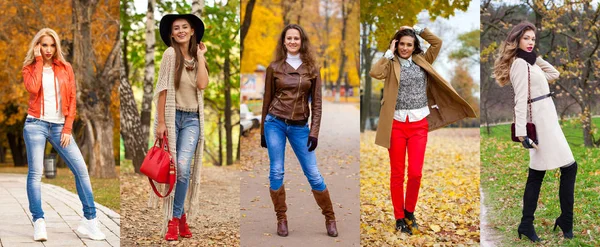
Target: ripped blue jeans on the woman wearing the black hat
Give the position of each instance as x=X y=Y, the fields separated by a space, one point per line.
x=187 y=130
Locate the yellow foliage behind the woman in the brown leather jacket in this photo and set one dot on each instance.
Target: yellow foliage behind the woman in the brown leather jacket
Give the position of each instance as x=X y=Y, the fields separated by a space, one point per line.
x=267 y=23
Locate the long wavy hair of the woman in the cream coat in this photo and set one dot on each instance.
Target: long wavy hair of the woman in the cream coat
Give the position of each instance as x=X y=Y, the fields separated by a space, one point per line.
x=508 y=51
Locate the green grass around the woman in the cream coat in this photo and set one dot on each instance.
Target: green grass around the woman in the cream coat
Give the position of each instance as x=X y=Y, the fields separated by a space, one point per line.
x=504 y=166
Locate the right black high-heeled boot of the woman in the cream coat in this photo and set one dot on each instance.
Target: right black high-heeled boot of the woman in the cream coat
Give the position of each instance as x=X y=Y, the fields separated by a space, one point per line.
x=566 y=195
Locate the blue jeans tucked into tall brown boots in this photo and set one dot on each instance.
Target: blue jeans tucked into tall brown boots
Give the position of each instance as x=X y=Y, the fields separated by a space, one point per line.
x=276 y=132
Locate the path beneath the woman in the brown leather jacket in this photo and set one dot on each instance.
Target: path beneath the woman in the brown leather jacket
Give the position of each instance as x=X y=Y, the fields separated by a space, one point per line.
x=338 y=160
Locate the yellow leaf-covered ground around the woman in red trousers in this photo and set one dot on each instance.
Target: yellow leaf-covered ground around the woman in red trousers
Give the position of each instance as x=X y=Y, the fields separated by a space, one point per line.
x=448 y=206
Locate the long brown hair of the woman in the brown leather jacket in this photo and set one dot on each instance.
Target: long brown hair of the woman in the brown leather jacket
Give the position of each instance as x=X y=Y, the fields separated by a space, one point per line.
x=306 y=52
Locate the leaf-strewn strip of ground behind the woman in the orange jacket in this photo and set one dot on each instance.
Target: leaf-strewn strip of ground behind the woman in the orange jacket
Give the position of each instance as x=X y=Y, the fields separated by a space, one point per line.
x=106 y=191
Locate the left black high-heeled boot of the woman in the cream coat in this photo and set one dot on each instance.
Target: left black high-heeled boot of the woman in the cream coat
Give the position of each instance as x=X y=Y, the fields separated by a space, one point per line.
x=530 y=198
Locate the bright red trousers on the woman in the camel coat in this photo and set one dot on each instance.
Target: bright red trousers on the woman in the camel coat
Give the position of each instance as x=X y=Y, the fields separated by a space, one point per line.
x=408 y=138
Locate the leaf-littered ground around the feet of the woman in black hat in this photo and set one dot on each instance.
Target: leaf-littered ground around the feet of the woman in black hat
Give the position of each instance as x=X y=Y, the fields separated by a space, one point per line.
x=217 y=224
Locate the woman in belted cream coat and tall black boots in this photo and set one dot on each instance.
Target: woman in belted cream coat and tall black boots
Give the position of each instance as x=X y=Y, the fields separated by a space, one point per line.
x=518 y=64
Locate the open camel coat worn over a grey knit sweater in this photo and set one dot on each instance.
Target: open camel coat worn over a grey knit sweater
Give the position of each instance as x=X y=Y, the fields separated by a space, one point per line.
x=445 y=105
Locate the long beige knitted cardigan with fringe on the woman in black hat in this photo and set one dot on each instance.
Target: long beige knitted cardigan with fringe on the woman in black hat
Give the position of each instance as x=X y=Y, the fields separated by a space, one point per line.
x=166 y=77
